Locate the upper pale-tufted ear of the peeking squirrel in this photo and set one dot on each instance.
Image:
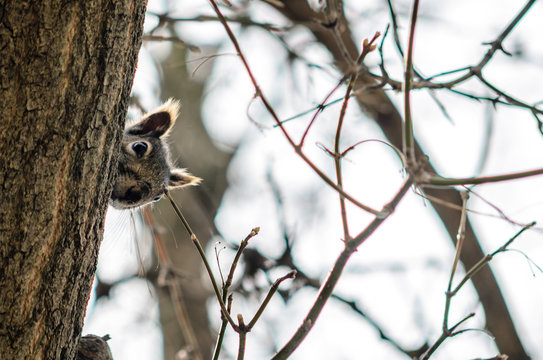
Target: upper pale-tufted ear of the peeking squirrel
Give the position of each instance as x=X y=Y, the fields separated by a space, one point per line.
x=158 y=122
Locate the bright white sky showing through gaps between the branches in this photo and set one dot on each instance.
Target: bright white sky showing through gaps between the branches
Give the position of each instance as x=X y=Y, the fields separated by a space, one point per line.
x=400 y=274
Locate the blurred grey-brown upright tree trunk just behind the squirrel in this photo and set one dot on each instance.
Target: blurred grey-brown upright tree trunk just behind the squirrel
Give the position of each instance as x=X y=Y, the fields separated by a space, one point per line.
x=194 y=149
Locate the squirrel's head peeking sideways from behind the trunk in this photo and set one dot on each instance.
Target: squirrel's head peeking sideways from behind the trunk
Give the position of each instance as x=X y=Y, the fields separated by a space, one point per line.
x=144 y=163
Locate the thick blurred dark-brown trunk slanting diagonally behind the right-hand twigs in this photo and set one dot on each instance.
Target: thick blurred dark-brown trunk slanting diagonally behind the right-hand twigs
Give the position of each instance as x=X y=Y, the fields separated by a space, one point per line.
x=378 y=106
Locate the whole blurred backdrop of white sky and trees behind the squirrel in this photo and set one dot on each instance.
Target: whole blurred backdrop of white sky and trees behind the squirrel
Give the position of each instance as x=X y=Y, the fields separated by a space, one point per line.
x=390 y=300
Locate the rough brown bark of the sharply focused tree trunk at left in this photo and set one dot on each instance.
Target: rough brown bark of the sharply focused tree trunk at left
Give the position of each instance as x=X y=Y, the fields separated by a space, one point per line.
x=65 y=72
